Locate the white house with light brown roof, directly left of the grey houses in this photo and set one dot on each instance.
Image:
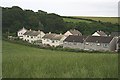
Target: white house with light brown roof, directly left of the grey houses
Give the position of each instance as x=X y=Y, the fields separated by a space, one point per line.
x=53 y=39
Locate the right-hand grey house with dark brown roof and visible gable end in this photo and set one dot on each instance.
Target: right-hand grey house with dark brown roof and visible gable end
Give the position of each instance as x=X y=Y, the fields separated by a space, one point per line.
x=100 y=43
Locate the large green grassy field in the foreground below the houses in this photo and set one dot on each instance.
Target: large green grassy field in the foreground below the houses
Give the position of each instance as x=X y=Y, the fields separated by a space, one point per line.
x=21 y=61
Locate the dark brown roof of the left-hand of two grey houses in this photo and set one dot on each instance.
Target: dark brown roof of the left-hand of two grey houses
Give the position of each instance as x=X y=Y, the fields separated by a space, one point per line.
x=75 y=38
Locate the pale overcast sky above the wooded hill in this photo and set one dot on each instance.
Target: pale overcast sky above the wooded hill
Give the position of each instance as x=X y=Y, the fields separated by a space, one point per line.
x=68 y=7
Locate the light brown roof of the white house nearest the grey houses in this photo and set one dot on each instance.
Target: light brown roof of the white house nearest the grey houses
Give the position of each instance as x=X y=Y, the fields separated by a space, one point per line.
x=53 y=36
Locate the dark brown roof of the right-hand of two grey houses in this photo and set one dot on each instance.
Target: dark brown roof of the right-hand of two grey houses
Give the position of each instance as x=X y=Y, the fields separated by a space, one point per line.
x=99 y=39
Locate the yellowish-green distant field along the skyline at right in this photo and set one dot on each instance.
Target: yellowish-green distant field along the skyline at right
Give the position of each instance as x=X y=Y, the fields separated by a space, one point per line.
x=103 y=19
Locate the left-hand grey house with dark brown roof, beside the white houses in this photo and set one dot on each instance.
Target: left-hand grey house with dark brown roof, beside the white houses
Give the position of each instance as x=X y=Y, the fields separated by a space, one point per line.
x=74 y=41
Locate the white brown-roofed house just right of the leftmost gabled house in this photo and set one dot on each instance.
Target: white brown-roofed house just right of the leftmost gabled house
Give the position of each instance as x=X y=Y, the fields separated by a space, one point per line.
x=31 y=36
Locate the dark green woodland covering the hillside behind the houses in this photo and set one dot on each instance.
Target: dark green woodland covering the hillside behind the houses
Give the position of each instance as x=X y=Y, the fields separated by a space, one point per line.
x=15 y=18
